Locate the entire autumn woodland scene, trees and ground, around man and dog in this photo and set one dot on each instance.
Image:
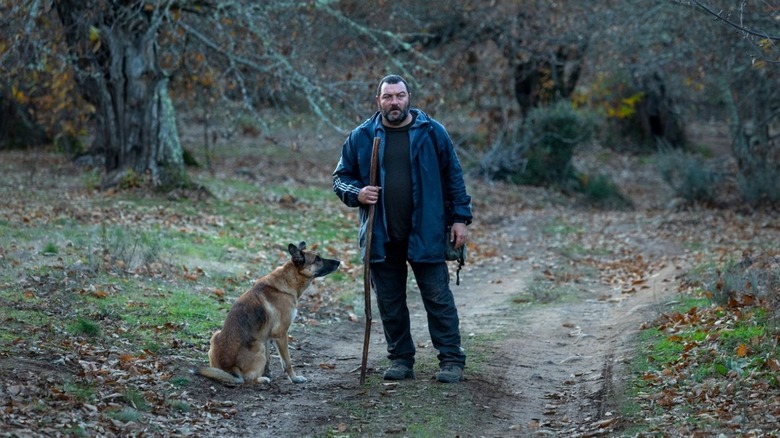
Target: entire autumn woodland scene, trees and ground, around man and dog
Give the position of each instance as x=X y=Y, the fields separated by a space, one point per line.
x=155 y=152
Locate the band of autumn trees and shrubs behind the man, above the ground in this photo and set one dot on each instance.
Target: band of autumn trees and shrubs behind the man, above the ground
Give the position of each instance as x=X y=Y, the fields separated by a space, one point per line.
x=115 y=80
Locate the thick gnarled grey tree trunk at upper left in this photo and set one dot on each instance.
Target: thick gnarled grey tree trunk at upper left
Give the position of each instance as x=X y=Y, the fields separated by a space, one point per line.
x=119 y=74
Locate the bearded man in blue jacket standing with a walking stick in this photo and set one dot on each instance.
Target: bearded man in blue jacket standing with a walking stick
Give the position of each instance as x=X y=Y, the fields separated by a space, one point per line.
x=421 y=191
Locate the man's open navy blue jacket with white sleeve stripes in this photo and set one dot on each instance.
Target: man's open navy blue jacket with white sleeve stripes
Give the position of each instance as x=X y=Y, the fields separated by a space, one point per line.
x=438 y=190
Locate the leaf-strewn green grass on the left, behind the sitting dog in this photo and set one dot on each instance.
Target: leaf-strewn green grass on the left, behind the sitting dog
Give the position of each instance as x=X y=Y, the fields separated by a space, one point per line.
x=188 y=252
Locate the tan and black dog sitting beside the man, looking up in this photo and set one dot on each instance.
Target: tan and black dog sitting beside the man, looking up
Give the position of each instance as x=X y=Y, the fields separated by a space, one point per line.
x=239 y=352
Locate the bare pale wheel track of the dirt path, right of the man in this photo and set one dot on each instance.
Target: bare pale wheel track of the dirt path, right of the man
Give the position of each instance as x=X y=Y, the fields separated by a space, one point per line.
x=557 y=366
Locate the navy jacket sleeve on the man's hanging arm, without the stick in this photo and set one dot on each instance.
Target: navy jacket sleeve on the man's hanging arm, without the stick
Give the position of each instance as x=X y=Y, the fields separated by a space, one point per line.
x=457 y=199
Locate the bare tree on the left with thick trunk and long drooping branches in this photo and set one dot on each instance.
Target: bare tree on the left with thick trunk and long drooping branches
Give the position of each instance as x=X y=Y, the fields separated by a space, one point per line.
x=127 y=55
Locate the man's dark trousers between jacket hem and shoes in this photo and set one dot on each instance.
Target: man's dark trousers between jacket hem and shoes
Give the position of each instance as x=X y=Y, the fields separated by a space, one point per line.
x=389 y=282
